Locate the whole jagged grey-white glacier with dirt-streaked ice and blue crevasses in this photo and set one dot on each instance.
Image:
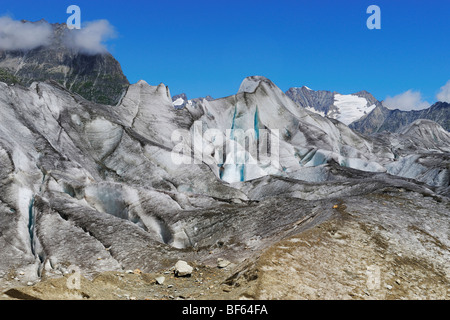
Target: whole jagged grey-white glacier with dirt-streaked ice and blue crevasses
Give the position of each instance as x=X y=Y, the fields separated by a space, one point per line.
x=96 y=186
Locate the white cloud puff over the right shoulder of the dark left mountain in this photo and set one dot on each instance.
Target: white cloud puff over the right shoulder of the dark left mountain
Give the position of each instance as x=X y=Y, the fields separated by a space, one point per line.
x=91 y=37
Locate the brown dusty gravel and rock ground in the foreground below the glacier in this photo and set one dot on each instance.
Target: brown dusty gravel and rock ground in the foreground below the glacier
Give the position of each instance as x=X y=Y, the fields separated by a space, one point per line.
x=381 y=254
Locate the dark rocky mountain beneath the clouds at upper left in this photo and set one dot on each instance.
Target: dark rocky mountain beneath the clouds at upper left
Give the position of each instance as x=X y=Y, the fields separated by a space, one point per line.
x=98 y=78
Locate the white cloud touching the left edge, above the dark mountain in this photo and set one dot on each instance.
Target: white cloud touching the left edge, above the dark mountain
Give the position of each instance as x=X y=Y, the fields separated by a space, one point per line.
x=18 y=35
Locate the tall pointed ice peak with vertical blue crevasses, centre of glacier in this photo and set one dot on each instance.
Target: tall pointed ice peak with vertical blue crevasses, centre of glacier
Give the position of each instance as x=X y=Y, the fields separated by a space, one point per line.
x=303 y=138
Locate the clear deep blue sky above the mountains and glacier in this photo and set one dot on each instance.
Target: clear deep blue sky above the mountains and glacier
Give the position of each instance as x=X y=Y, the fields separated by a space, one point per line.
x=209 y=47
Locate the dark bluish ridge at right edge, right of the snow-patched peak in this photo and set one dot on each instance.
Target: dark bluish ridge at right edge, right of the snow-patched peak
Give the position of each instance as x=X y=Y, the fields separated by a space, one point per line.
x=383 y=119
